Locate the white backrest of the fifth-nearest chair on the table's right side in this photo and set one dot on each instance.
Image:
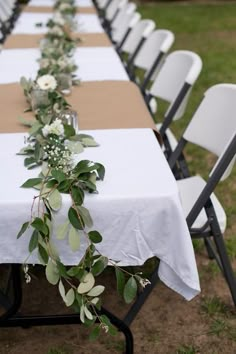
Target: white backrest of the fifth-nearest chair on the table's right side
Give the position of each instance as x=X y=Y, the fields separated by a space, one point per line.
x=128 y=22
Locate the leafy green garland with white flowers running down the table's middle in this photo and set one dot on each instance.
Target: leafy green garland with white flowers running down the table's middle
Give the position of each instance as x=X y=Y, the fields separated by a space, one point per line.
x=53 y=144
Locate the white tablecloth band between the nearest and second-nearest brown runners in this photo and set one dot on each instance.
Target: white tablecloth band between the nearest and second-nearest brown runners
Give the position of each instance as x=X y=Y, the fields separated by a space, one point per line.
x=94 y=64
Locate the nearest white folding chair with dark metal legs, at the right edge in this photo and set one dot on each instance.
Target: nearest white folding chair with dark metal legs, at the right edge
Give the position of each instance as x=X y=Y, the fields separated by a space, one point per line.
x=213 y=127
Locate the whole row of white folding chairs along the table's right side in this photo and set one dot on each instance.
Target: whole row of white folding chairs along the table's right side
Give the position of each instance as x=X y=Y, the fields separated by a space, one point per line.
x=170 y=77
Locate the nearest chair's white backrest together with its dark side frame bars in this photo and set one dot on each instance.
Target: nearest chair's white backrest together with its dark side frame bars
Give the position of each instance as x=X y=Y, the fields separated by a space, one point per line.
x=213 y=126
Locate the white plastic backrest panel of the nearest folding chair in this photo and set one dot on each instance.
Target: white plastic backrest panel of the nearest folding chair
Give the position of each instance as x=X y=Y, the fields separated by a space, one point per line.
x=214 y=125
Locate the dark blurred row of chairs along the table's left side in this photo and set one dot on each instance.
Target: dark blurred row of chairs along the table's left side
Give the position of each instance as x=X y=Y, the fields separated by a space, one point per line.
x=9 y=11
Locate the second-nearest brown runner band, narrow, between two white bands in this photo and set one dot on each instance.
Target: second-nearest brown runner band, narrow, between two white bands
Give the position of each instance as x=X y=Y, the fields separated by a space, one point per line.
x=21 y=41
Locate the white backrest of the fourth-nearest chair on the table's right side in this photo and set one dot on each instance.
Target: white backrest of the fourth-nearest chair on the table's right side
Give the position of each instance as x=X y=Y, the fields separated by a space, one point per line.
x=139 y=33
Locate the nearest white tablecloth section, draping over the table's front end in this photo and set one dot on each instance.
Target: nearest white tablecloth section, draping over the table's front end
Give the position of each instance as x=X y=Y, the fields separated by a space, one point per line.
x=137 y=209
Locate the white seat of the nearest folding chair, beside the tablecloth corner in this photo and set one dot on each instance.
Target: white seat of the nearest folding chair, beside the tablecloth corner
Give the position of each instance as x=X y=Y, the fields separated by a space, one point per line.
x=189 y=189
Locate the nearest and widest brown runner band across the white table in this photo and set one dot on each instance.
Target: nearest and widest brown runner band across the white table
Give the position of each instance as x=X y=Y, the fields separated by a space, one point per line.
x=100 y=105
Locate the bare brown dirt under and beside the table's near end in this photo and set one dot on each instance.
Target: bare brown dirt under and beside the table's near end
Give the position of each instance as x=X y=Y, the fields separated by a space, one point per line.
x=165 y=324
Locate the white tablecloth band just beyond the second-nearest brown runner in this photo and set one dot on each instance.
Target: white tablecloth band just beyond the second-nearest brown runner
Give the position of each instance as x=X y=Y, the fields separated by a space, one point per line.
x=26 y=23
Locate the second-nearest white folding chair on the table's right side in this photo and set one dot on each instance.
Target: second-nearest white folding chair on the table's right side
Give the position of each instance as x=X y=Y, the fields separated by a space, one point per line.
x=173 y=84
